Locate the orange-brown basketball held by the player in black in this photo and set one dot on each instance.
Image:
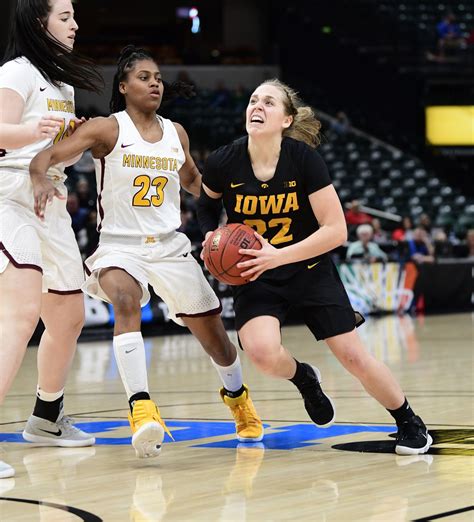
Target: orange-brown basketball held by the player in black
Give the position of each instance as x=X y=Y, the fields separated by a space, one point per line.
x=221 y=252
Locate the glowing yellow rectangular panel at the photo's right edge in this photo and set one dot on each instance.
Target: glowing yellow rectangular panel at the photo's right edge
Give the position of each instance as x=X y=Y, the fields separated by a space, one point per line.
x=450 y=125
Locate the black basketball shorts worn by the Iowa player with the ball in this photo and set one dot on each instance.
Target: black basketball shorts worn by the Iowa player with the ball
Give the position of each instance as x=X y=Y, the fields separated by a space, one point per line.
x=316 y=292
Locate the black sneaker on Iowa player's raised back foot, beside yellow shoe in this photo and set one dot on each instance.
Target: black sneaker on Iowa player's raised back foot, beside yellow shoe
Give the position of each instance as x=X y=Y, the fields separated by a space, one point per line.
x=318 y=405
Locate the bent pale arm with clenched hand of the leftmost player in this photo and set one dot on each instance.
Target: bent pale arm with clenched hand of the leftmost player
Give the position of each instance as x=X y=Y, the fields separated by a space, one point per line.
x=13 y=134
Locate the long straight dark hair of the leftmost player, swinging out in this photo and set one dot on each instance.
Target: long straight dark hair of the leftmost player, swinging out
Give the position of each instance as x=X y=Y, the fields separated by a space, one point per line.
x=56 y=63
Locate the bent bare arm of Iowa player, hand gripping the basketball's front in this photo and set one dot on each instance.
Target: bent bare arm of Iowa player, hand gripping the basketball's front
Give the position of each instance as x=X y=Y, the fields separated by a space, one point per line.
x=332 y=233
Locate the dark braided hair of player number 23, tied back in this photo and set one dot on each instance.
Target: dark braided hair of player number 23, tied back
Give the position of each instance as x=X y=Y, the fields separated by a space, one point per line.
x=129 y=56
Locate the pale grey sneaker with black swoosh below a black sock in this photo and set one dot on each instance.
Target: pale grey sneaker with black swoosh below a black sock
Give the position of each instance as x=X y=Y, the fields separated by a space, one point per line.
x=60 y=433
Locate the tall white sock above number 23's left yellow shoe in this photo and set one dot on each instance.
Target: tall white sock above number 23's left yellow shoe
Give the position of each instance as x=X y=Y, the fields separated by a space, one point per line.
x=130 y=357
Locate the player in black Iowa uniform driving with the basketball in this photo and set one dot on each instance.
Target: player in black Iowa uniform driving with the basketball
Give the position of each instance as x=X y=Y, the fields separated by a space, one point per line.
x=275 y=181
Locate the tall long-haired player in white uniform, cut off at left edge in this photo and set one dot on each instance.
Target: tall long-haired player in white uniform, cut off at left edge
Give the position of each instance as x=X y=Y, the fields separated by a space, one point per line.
x=40 y=265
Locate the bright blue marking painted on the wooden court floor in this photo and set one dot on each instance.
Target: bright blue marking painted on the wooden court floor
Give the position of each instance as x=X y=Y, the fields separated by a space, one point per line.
x=289 y=437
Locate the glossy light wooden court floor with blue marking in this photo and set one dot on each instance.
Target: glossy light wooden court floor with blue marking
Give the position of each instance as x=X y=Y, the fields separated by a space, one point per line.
x=299 y=472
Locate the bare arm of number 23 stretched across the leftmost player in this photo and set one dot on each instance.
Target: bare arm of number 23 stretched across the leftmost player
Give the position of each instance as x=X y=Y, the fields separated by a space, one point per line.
x=91 y=134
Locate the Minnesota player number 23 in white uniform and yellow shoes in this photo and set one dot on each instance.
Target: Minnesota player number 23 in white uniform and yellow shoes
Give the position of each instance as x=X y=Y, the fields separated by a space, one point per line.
x=141 y=162
